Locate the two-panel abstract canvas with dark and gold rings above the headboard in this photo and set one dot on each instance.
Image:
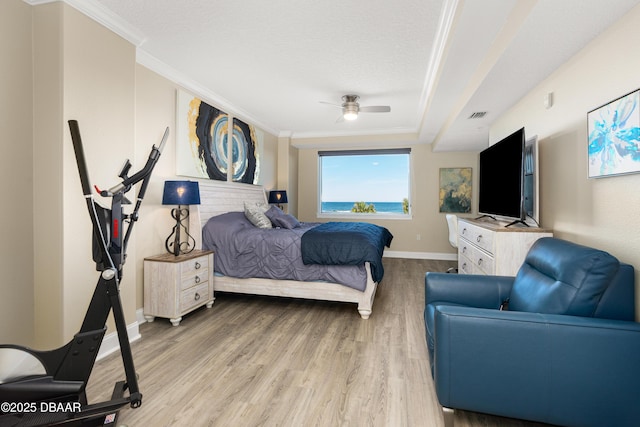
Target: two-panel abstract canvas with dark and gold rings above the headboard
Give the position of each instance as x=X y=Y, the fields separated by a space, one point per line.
x=211 y=144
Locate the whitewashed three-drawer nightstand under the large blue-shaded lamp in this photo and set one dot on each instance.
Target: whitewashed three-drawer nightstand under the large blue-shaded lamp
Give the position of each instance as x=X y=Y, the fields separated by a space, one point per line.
x=177 y=285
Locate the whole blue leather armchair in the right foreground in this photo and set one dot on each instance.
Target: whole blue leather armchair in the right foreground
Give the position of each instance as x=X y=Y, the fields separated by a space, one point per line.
x=565 y=352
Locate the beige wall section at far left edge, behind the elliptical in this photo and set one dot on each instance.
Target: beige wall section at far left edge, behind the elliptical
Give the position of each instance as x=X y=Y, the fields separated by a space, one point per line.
x=16 y=174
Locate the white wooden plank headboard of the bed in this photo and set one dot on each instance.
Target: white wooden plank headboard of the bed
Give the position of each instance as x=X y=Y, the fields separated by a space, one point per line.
x=217 y=197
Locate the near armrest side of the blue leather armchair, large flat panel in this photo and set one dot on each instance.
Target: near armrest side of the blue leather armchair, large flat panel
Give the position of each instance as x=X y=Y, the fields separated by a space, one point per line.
x=540 y=367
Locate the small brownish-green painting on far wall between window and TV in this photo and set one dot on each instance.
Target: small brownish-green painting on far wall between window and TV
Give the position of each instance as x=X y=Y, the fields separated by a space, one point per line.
x=455 y=190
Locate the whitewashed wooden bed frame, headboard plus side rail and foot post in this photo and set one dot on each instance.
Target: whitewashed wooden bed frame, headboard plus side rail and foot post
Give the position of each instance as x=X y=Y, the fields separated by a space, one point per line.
x=221 y=197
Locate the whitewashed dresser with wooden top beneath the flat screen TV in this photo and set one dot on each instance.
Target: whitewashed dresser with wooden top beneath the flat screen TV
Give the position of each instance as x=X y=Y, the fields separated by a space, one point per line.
x=488 y=247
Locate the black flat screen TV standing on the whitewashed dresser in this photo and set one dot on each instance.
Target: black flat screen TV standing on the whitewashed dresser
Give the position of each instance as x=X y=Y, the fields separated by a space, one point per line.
x=501 y=176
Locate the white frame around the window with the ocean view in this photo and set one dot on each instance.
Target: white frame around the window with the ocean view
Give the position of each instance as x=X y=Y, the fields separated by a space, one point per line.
x=364 y=152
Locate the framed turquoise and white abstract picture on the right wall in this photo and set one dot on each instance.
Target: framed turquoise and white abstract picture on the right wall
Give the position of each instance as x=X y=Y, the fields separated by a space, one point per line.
x=614 y=137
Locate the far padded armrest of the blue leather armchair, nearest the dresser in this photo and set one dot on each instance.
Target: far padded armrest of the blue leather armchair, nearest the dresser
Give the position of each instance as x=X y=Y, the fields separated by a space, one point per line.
x=465 y=289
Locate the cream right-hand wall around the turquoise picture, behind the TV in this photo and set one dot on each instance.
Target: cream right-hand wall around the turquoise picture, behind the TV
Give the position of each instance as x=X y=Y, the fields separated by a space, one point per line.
x=597 y=212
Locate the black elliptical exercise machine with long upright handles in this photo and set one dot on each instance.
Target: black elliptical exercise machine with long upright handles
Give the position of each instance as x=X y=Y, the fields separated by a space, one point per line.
x=39 y=388
